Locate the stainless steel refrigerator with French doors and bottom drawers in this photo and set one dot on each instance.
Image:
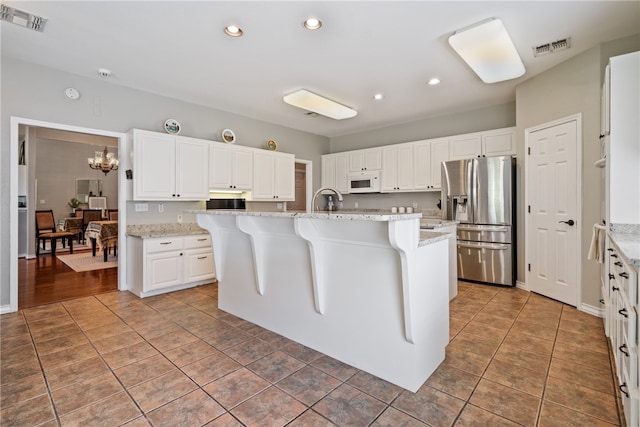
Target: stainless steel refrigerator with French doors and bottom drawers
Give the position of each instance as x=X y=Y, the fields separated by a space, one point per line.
x=480 y=194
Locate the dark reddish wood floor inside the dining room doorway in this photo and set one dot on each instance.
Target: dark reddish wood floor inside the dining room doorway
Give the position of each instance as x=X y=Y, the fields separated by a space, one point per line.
x=46 y=279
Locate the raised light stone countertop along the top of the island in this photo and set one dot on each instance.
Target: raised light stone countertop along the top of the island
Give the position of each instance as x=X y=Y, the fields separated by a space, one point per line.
x=336 y=215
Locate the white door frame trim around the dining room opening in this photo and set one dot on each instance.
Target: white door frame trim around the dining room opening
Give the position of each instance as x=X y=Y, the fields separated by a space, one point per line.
x=16 y=123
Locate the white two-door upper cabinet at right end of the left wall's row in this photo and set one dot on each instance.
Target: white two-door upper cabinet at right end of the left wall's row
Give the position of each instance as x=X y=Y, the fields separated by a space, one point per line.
x=273 y=176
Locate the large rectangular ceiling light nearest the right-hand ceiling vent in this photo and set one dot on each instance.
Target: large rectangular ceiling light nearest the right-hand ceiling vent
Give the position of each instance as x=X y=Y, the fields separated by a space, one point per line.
x=489 y=51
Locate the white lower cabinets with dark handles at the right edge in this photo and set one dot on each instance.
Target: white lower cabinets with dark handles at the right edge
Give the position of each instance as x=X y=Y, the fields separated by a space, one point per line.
x=621 y=323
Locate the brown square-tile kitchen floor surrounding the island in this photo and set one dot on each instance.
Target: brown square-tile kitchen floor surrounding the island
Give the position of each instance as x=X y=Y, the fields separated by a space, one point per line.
x=514 y=358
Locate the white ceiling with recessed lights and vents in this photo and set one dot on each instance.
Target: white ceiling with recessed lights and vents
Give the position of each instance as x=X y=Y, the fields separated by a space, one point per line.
x=178 y=49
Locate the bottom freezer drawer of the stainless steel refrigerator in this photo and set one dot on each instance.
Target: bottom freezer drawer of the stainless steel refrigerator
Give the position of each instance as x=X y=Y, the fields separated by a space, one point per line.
x=485 y=262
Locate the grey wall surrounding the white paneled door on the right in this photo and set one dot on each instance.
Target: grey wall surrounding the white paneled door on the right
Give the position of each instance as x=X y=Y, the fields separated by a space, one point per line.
x=569 y=88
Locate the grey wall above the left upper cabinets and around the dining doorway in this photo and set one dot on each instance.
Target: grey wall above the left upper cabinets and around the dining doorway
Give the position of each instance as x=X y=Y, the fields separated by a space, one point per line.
x=36 y=92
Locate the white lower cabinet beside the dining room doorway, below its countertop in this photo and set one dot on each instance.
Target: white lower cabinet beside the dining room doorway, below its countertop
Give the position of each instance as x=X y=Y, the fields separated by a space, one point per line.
x=163 y=264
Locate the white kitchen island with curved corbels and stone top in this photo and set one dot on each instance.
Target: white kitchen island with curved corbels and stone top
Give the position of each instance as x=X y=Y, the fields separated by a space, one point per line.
x=369 y=290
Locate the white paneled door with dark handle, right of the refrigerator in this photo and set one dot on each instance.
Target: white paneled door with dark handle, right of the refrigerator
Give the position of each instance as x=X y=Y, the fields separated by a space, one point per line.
x=553 y=241
